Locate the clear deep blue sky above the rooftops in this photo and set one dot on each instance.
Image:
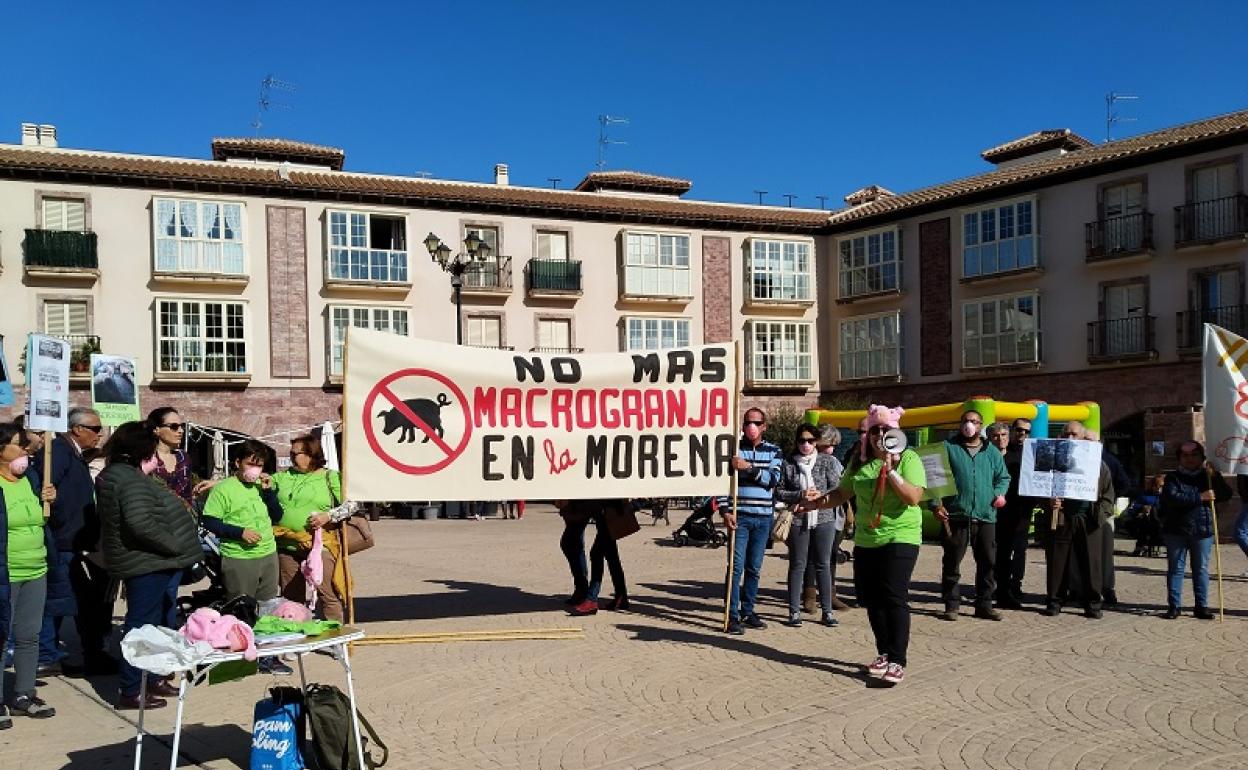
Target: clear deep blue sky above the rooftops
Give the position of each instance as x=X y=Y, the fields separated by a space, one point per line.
x=791 y=98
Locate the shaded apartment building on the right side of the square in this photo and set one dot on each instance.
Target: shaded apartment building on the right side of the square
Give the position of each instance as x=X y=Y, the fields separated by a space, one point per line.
x=1069 y=273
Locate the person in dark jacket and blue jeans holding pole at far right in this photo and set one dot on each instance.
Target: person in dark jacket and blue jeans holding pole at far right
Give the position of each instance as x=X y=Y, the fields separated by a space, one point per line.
x=1187 y=507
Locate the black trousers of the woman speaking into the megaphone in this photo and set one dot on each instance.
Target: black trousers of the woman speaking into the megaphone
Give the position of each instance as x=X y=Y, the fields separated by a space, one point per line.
x=882 y=578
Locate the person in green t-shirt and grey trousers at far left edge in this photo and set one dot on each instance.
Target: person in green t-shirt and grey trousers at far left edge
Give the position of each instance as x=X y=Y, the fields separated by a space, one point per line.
x=26 y=547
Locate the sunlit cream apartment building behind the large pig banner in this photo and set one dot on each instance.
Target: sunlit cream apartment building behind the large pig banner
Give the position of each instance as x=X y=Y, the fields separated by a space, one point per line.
x=234 y=280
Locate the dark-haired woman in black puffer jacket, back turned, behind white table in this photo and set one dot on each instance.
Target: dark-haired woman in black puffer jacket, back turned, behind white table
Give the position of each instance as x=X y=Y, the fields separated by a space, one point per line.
x=149 y=541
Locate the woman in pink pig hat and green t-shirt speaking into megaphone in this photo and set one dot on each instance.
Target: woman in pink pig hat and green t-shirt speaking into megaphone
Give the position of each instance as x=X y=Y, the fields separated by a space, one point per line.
x=888 y=487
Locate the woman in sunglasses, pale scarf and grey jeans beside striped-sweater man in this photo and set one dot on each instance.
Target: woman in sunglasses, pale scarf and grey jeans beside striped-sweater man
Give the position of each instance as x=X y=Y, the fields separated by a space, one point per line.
x=807 y=476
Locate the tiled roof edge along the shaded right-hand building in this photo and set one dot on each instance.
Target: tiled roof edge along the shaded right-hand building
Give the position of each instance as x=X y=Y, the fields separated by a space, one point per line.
x=1081 y=162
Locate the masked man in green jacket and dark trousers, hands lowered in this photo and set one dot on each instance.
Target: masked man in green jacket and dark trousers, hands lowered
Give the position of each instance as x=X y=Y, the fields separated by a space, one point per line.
x=970 y=517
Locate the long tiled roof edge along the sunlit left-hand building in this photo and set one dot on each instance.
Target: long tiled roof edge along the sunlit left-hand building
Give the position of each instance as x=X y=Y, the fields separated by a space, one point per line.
x=43 y=163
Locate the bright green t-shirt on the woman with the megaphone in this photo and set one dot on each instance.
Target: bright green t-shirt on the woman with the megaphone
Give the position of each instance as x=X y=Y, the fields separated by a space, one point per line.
x=899 y=524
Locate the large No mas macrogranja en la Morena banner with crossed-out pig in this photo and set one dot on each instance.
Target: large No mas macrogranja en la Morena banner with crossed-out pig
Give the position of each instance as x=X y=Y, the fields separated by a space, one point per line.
x=427 y=421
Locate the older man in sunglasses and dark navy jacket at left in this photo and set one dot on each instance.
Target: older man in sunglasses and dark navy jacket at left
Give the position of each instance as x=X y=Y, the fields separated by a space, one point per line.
x=77 y=587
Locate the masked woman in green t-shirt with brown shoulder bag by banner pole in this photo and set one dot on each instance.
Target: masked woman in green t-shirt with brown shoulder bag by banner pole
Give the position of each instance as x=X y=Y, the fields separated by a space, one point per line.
x=306 y=492
